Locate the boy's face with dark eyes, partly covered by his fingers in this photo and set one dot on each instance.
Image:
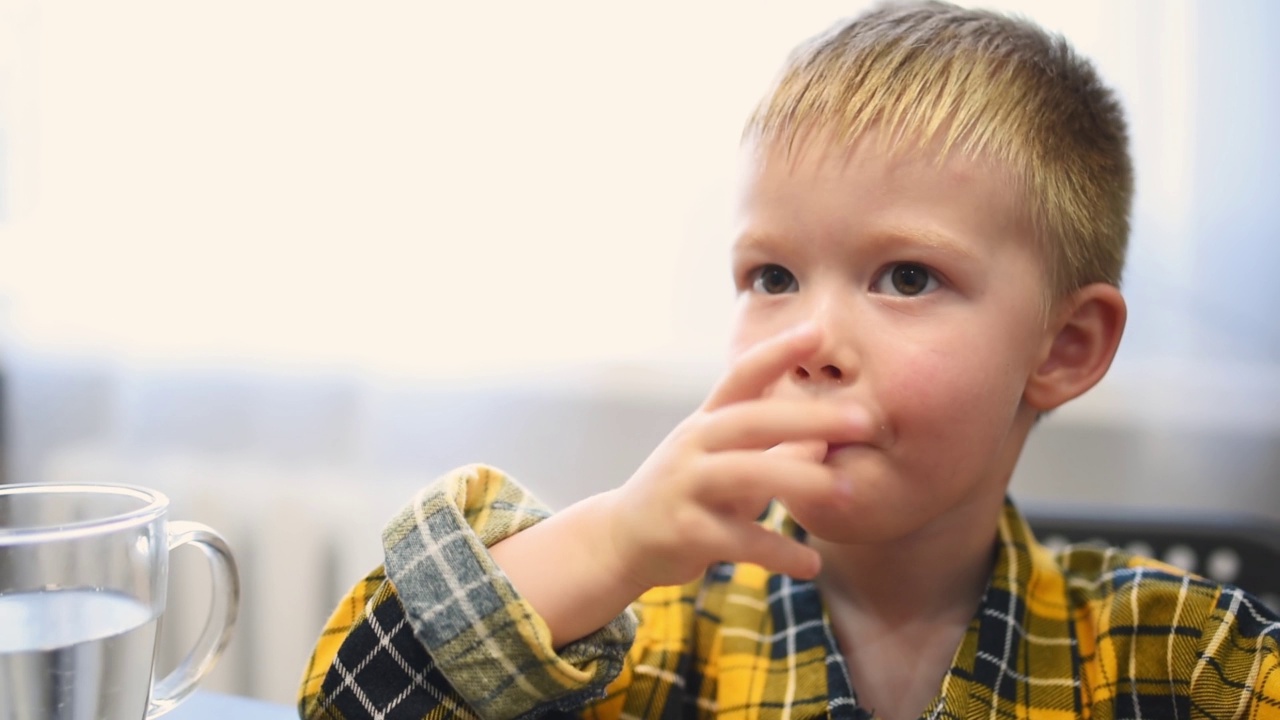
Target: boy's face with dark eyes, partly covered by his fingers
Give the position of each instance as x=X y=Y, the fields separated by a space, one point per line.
x=927 y=291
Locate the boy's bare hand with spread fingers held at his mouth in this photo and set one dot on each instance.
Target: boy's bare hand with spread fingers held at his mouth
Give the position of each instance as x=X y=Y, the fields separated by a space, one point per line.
x=697 y=499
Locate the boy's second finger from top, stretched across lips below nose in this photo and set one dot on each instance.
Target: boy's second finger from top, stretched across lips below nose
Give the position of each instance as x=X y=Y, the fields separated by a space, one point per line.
x=764 y=425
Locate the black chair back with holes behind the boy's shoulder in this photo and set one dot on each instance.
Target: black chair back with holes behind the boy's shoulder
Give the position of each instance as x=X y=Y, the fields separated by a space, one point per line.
x=1238 y=549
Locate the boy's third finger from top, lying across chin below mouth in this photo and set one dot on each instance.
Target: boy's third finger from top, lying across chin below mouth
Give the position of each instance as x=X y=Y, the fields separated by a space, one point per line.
x=748 y=480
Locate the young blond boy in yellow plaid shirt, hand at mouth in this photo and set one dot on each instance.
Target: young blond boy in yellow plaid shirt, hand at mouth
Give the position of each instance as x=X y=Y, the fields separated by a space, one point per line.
x=934 y=221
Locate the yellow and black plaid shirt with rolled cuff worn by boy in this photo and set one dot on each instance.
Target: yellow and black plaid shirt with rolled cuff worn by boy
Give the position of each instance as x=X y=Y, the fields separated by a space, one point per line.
x=440 y=632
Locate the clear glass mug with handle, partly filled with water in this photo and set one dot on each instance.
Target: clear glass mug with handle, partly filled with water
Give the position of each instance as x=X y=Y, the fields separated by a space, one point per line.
x=84 y=573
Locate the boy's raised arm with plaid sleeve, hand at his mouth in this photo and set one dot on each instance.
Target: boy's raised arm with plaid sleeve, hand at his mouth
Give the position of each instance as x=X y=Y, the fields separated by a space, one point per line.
x=554 y=635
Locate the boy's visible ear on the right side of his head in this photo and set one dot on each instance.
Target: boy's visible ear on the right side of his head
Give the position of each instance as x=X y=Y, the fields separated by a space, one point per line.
x=1080 y=347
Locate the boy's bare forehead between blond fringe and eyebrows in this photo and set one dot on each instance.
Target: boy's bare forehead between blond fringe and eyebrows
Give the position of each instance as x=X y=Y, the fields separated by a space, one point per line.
x=824 y=186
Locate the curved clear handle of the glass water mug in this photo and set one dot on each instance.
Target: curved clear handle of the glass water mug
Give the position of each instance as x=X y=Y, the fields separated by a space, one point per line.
x=167 y=694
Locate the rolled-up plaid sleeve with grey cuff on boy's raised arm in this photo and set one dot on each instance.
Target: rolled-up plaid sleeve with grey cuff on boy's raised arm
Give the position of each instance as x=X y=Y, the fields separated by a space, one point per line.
x=441 y=632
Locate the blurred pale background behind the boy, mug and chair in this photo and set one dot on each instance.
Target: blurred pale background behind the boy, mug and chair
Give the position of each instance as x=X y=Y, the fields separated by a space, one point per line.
x=291 y=261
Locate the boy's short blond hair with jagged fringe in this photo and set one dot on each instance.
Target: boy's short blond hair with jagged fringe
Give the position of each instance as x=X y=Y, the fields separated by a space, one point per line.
x=988 y=85
